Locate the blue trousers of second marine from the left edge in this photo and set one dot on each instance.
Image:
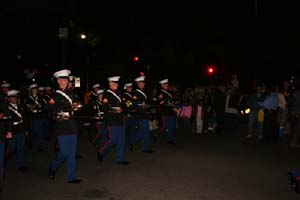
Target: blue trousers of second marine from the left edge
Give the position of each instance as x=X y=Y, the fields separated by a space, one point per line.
x=17 y=143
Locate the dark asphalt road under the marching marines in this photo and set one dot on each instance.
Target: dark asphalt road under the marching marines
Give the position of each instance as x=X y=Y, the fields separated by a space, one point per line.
x=210 y=167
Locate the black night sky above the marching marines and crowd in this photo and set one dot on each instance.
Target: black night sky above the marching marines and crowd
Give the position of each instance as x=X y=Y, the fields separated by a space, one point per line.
x=174 y=42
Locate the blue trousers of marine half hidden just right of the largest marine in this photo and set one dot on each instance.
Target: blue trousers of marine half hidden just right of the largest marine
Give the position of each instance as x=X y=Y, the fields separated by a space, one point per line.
x=99 y=134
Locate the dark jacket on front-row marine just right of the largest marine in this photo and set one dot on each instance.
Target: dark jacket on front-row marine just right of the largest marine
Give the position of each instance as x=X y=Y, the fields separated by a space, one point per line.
x=112 y=101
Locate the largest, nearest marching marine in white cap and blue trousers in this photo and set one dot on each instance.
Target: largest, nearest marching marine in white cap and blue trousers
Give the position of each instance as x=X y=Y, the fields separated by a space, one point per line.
x=65 y=129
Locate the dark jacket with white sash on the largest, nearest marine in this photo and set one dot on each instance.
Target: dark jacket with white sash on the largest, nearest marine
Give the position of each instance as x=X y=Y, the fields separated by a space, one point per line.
x=61 y=101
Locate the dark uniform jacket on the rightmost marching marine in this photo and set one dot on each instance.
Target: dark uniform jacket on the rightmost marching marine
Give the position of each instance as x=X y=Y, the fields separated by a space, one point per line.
x=165 y=98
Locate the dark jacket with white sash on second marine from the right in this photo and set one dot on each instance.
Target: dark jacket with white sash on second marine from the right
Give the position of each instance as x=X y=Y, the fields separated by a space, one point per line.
x=140 y=103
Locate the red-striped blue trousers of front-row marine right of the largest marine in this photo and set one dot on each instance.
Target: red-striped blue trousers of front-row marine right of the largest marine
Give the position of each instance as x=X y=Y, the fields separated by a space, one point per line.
x=116 y=136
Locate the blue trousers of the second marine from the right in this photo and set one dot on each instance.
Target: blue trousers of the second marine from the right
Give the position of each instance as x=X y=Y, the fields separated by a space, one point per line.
x=144 y=133
